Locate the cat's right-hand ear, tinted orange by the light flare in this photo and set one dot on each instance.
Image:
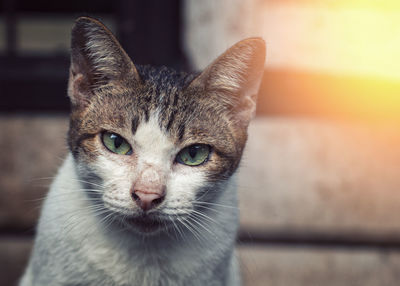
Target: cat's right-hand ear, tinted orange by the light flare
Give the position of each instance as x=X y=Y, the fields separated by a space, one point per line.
x=234 y=77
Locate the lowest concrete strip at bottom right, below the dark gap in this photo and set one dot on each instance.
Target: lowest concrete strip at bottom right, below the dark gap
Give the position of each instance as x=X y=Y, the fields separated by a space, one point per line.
x=291 y=266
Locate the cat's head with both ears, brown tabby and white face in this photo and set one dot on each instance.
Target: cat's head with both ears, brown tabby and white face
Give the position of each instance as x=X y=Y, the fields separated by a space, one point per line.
x=151 y=144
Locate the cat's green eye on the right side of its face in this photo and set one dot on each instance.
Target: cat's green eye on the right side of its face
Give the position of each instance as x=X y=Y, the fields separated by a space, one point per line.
x=194 y=155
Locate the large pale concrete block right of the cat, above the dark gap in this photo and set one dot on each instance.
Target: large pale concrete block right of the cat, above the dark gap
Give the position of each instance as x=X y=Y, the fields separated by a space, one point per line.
x=321 y=175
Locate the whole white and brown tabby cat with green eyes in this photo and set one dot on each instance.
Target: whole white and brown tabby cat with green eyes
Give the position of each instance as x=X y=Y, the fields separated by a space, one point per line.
x=147 y=194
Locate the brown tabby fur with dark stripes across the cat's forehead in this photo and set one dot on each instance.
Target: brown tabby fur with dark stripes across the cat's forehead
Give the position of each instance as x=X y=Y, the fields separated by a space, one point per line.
x=186 y=115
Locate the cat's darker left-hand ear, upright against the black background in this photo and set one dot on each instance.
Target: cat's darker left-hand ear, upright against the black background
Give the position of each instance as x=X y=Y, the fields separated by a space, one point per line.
x=97 y=59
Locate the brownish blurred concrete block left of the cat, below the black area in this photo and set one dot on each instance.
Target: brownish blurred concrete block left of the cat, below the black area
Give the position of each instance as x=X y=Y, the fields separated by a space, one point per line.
x=32 y=147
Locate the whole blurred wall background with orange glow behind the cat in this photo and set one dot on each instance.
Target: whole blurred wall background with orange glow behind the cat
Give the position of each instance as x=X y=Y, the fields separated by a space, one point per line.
x=319 y=183
